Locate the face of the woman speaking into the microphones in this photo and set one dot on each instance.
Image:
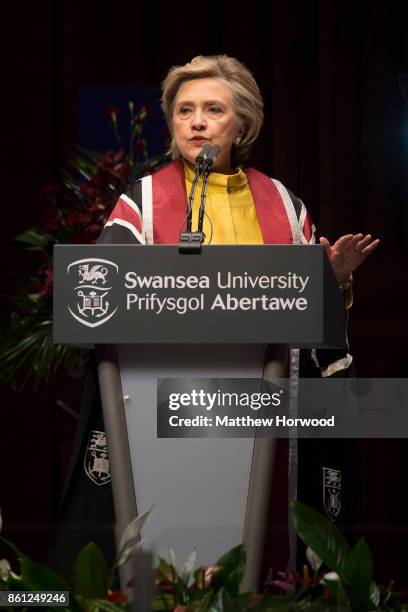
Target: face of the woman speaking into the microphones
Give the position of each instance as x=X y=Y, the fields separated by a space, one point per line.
x=204 y=114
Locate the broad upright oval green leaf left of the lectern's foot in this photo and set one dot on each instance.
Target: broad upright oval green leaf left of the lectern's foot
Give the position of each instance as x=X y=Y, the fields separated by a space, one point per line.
x=91 y=573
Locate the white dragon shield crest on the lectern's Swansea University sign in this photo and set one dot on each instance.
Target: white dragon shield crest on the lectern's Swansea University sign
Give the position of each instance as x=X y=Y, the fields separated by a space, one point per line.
x=91 y=304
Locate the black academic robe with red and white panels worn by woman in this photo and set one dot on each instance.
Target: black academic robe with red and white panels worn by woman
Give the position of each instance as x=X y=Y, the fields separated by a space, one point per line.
x=153 y=211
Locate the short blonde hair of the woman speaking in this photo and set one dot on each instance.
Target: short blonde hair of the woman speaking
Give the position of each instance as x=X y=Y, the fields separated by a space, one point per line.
x=246 y=97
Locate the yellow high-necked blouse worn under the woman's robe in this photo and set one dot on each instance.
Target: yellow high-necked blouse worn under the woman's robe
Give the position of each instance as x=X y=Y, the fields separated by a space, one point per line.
x=229 y=206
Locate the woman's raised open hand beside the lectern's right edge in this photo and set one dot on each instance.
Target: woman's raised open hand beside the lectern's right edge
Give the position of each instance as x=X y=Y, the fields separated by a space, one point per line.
x=348 y=252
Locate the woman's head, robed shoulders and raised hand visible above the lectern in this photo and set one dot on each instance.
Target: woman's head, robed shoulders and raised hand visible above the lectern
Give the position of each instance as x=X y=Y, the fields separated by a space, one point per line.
x=215 y=100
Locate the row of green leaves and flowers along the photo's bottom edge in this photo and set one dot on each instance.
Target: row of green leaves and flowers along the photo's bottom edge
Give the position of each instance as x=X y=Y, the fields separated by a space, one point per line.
x=346 y=585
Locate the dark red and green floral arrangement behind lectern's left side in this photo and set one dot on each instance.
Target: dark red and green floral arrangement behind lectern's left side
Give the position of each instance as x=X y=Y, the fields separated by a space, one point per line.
x=76 y=212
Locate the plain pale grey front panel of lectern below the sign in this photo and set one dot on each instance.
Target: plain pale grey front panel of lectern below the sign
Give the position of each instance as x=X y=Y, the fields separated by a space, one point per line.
x=199 y=486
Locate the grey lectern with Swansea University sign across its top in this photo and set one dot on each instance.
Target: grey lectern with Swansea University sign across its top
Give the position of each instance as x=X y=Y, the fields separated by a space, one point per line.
x=154 y=313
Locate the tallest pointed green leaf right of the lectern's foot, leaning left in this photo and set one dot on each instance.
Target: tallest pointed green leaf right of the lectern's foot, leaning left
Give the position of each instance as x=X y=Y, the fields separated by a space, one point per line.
x=323 y=537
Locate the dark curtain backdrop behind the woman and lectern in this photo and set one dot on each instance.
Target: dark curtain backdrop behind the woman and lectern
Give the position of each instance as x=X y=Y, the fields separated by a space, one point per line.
x=335 y=133
